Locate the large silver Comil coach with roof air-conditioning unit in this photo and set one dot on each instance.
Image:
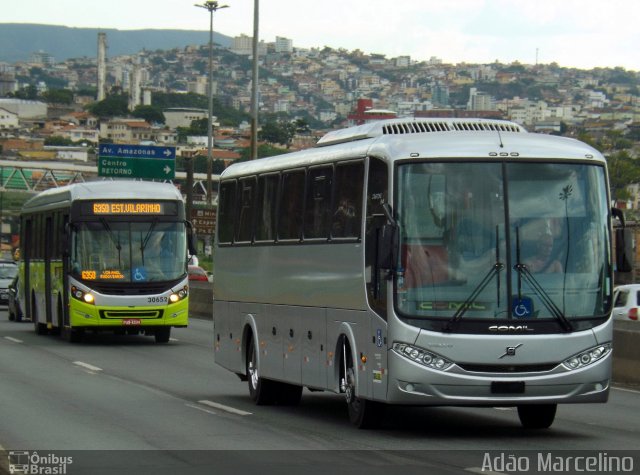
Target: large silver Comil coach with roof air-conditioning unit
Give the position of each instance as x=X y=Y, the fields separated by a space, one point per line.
x=419 y=262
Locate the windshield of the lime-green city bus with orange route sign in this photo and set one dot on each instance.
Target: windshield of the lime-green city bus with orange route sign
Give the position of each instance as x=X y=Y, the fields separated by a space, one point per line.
x=123 y=252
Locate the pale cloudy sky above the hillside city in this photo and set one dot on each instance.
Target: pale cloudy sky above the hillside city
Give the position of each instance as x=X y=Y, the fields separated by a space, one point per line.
x=573 y=33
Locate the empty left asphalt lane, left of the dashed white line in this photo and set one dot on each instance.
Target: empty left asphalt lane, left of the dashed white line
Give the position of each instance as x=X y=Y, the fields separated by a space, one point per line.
x=54 y=402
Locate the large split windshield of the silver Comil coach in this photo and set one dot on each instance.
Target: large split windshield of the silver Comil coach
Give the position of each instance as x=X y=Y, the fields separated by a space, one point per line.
x=503 y=241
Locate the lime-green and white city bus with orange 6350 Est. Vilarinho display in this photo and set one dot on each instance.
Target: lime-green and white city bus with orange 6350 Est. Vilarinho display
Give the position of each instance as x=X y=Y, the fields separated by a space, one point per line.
x=105 y=255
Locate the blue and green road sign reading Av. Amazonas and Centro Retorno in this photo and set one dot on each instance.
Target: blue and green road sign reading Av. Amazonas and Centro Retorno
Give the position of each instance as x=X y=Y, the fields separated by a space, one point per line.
x=137 y=161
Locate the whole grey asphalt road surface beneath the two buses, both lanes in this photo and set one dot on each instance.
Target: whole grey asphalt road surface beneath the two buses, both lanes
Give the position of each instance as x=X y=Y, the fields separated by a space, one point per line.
x=123 y=404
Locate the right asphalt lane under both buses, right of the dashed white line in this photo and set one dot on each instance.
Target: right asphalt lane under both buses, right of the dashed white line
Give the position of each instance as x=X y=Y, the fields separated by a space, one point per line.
x=315 y=422
